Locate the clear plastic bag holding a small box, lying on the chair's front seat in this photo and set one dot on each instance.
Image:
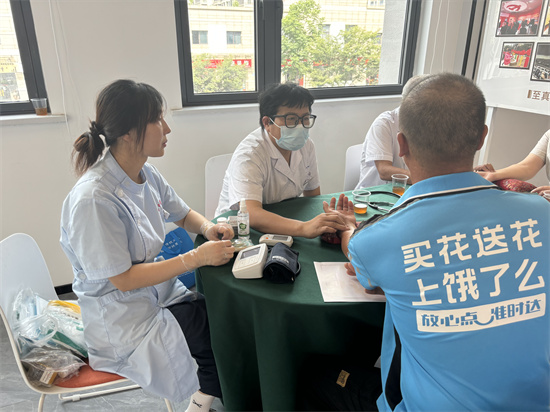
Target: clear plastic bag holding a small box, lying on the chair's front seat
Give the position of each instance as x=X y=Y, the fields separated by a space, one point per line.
x=47 y=366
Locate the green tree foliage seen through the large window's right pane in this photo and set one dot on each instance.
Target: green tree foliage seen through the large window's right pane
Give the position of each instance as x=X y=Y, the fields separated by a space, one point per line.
x=350 y=58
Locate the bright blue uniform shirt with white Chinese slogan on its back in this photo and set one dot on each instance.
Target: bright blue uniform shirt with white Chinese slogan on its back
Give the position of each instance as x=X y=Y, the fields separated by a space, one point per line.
x=465 y=269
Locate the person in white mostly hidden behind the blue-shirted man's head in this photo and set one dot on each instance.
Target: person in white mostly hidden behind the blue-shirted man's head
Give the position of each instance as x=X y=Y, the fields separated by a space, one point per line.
x=380 y=155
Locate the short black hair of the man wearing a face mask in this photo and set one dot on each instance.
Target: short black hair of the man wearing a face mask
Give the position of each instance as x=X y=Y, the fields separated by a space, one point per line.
x=283 y=94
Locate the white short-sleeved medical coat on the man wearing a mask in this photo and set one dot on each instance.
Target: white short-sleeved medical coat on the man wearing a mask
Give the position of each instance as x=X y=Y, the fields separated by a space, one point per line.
x=258 y=171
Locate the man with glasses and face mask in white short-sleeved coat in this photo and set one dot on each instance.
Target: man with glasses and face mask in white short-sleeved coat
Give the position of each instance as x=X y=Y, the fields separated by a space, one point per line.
x=277 y=162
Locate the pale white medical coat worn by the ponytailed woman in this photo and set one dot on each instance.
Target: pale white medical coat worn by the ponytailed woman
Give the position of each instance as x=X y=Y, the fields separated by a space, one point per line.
x=108 y=224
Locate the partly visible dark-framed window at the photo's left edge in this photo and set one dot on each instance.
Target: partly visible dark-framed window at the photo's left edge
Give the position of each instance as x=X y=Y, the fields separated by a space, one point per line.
x=20 y=70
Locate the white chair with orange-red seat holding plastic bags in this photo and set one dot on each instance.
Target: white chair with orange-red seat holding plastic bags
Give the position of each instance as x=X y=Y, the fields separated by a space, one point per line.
x=22 y=265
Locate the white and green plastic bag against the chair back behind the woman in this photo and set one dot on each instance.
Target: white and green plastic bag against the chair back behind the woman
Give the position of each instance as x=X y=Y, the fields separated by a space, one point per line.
x=55 y=324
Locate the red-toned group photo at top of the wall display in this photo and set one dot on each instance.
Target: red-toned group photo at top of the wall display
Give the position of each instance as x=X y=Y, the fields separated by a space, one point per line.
x=519 y=18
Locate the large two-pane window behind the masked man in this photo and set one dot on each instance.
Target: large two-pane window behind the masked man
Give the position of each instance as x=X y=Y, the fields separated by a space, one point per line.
x=335 y=48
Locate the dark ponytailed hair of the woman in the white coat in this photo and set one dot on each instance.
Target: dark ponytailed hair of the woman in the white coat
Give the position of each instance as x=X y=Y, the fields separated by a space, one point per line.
x=121 y=106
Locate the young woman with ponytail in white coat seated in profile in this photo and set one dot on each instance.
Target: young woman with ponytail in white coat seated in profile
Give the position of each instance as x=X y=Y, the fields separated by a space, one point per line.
x=139 y=320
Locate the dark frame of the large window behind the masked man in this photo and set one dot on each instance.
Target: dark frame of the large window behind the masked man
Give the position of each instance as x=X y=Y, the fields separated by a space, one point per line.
x=268 y=65
